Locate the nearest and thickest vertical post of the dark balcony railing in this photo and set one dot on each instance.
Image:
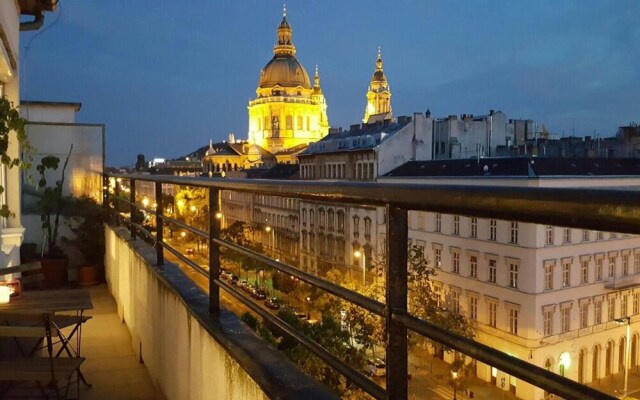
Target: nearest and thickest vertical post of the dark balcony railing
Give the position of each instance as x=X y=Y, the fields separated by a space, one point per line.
x=396 y=299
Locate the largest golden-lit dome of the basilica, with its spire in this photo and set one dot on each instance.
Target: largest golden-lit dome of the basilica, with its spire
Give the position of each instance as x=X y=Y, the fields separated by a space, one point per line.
x=288 y=110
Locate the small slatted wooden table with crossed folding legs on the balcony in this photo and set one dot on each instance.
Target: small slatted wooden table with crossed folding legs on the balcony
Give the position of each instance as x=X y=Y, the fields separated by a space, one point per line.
x=53 y=301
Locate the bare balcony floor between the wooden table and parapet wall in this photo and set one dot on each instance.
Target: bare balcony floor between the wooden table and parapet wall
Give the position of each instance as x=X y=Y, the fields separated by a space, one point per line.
x=112 y=366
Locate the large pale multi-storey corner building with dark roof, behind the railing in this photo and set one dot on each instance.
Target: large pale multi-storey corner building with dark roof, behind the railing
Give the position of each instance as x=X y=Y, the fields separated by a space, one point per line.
x=545 y=294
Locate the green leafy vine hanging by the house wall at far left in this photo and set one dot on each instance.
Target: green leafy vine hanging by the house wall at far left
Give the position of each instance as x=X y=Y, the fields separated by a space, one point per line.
x=12 y=124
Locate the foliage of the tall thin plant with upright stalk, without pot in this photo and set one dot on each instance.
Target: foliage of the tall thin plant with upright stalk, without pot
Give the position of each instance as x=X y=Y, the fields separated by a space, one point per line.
x=52 y=201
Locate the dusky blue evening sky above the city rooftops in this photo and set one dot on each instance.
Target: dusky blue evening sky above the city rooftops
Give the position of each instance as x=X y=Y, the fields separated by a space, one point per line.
x=166 y=76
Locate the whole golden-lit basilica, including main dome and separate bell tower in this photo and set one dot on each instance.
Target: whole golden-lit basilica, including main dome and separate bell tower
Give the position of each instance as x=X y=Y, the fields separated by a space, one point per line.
x=289 y=112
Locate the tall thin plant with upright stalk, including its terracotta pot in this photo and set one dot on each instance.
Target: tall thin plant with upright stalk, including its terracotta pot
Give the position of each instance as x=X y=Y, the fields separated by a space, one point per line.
x=51 y=204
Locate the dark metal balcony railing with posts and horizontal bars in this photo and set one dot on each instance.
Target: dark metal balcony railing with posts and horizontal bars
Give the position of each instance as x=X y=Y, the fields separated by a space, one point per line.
x=596 y=209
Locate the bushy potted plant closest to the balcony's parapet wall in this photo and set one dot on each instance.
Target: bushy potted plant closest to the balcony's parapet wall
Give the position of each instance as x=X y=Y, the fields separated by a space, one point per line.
x=87 y=225
